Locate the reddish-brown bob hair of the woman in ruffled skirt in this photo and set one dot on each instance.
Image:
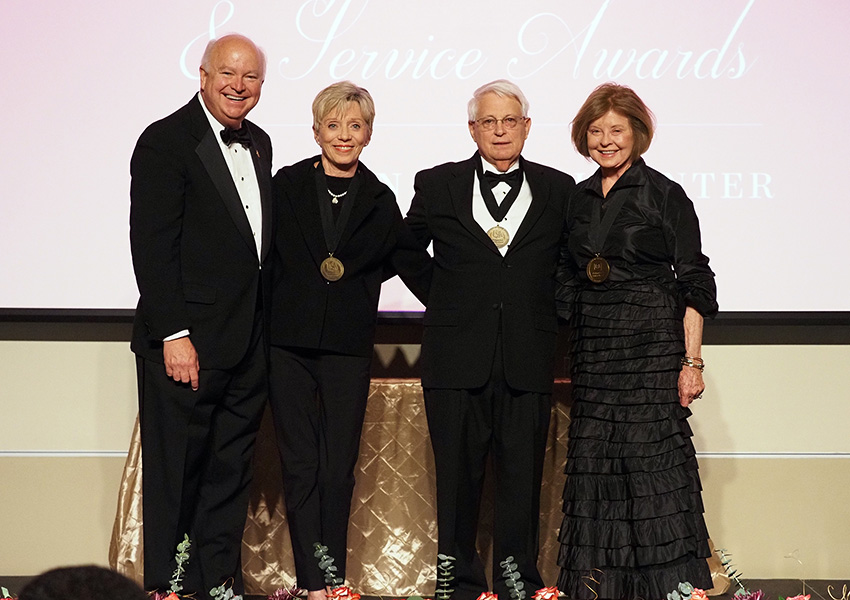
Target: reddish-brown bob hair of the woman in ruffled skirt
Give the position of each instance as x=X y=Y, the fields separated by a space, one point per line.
x=622 y=100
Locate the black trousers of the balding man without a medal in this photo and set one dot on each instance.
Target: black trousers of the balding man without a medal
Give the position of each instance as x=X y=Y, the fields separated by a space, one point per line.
x=196 y=458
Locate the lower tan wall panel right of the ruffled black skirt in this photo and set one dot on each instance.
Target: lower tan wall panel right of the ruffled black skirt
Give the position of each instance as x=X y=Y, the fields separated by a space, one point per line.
x=762 y=510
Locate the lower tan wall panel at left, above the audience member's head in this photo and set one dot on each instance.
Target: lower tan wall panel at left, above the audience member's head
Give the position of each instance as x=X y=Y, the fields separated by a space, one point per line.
x=56 y=511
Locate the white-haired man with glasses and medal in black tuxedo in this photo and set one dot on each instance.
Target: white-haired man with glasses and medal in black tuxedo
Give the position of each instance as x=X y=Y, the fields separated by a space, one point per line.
x=496 y=222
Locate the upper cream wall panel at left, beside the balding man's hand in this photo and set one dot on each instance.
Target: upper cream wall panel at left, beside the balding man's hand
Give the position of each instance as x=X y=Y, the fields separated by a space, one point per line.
x=66 y=396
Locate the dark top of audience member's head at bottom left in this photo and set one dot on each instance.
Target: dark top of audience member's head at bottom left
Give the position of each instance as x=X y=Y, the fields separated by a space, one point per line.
x=83 y=583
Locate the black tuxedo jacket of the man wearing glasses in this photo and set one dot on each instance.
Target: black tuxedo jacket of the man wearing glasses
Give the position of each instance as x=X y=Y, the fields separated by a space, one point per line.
x=476 y=292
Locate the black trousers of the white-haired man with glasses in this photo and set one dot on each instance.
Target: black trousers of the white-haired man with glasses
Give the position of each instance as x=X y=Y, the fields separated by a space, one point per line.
x=466 y=426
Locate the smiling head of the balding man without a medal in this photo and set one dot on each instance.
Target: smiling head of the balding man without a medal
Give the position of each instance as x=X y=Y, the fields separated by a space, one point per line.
x=231 y=81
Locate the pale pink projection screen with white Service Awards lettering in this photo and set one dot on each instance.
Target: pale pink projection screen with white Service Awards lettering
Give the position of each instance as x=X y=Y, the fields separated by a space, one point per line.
x=750 y=98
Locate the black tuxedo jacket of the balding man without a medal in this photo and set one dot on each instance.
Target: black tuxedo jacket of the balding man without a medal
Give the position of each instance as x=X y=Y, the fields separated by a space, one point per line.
x=194 y=255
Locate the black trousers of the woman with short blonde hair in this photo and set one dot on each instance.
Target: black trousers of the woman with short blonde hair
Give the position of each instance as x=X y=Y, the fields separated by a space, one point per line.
x=318 y=400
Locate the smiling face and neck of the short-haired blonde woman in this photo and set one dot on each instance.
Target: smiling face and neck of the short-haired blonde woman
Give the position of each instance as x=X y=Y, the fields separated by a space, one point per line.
x=342 y=137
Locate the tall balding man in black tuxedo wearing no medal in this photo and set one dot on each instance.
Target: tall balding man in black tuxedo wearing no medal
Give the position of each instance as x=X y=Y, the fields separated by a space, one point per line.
x=200 y=233
